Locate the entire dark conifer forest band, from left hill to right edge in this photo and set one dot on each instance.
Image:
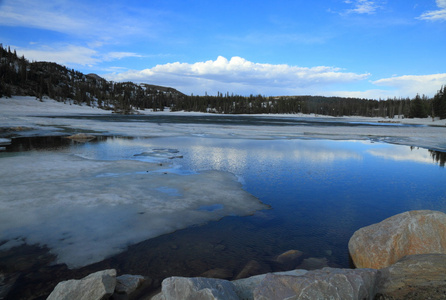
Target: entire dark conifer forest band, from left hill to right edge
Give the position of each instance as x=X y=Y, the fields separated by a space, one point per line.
x=18 y=76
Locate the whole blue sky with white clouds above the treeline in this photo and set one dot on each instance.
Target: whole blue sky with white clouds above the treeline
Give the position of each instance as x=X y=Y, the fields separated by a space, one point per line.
x=359 y=48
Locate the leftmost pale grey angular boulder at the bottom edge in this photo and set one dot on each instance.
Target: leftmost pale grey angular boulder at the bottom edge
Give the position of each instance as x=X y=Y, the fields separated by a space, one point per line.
x=99 y=285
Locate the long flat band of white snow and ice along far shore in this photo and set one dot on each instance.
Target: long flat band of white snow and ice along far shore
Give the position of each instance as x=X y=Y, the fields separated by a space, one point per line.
x=22 y=111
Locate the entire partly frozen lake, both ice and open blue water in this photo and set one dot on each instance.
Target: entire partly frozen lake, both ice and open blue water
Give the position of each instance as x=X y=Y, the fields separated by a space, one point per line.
x=176 y=194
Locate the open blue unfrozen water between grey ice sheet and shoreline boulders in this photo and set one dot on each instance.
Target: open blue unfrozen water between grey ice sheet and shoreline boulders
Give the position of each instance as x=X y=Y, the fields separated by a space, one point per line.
x=320 y=192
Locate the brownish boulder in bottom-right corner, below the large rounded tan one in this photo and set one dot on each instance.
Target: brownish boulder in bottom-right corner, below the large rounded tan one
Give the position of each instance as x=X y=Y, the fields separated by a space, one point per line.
x=423 y=275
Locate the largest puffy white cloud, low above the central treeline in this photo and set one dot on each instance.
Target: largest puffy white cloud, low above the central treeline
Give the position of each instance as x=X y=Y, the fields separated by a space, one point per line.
x=238 y=75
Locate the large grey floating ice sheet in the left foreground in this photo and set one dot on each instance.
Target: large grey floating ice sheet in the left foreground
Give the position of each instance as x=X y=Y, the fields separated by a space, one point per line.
x=83 y=215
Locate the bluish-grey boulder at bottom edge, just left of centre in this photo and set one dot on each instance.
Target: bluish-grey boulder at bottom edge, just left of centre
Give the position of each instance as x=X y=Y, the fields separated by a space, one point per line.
x=197 y=288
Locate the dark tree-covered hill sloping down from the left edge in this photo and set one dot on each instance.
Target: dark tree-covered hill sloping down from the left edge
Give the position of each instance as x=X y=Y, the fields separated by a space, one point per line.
x=18 y=76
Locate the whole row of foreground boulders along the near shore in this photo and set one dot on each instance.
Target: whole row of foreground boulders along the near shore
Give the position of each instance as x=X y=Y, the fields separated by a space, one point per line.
x=402 y=257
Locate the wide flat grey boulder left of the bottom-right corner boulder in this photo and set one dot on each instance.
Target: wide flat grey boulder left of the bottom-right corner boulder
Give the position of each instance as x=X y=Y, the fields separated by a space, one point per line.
x=327 y=283
